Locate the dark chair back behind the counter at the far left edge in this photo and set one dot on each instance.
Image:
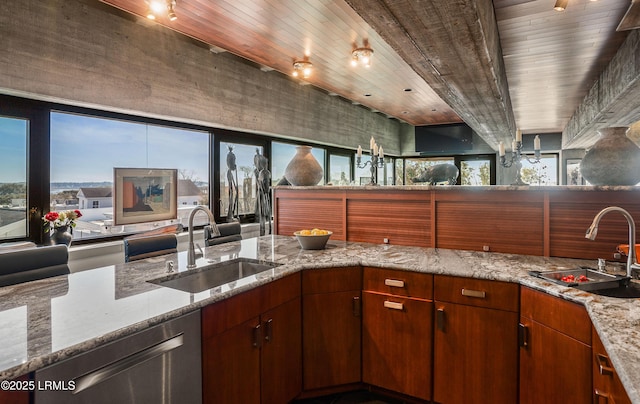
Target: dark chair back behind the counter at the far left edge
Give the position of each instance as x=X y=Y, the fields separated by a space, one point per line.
x=31 y=264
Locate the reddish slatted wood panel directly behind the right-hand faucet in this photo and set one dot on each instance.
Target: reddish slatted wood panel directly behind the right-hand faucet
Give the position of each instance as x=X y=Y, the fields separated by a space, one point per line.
x=571 y=215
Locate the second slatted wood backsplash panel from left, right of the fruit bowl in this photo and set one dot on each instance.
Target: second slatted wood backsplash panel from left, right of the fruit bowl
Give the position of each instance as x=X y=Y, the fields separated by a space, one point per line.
x=403 y=218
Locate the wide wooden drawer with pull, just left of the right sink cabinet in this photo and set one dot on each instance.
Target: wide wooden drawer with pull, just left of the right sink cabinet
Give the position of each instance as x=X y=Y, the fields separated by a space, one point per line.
x=477 y=292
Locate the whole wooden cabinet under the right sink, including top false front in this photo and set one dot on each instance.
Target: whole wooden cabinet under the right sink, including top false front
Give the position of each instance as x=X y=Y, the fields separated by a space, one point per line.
x=555 y=350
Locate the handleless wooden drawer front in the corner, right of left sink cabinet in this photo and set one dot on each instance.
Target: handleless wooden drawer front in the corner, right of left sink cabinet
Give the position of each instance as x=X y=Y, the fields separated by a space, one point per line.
x=329 y=280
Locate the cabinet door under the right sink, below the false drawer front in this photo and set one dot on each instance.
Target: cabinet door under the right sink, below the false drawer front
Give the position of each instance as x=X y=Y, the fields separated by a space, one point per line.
x=554 y=368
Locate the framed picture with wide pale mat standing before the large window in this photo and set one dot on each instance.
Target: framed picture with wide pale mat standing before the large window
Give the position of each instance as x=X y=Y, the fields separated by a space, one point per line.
x=144 y=195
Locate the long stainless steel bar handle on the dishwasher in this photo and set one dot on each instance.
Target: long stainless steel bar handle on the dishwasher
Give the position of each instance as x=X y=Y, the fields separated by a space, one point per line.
x=108 y=371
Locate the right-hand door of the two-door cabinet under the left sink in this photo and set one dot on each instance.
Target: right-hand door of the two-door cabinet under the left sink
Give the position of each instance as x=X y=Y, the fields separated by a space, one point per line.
x=282 y=353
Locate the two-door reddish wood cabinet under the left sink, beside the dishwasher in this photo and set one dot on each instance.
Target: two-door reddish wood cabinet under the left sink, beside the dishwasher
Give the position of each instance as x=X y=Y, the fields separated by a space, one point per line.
x=251 y=345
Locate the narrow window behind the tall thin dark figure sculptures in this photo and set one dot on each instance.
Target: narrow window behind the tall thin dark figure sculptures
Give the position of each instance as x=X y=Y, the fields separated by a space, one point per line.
x=237 y=179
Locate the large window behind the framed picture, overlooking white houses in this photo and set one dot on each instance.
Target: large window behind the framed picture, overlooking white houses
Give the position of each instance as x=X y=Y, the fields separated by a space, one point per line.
x=85 y=150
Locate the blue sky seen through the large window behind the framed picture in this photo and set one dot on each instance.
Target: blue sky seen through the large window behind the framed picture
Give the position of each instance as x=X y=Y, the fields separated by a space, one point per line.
x=87 y=149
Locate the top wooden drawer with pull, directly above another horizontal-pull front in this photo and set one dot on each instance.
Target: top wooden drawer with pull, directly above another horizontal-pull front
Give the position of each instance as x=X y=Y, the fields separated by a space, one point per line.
x=400 y=283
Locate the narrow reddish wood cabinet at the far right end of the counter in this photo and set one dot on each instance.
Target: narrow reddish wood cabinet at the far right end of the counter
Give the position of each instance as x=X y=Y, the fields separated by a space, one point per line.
x=607 y=387
